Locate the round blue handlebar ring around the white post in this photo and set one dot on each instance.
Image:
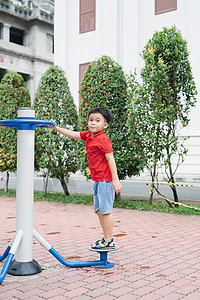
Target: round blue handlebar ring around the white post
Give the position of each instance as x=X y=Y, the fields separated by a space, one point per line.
x=26 y=123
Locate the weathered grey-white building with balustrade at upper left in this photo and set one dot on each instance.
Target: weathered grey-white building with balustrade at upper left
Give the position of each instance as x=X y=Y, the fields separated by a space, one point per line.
x=26 y=39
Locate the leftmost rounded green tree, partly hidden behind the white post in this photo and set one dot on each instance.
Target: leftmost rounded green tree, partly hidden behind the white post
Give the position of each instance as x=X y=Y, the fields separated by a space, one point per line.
x=13 y=95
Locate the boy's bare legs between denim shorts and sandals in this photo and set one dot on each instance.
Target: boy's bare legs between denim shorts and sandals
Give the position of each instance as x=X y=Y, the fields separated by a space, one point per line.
x=106 y=222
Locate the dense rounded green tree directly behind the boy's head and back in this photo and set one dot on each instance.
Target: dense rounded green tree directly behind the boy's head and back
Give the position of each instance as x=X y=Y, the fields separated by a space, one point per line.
x=104 y=84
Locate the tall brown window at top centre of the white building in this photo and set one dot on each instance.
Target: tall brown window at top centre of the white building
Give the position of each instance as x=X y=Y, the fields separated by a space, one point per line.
x=87 y=15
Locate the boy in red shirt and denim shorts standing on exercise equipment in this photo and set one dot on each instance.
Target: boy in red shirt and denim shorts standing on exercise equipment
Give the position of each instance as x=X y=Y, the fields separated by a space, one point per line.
x=102 y=168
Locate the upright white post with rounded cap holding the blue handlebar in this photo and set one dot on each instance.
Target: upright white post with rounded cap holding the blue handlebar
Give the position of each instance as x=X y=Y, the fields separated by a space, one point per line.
x=25 y=188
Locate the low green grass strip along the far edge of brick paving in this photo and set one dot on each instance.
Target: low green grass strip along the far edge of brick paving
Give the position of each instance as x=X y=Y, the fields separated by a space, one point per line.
x=139 y=205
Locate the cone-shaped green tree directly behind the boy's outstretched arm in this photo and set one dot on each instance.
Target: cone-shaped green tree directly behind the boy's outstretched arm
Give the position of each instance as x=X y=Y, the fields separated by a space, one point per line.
x=54 y=152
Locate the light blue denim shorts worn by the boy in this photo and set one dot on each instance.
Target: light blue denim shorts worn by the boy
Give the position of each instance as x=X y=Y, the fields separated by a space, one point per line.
x=103 y=197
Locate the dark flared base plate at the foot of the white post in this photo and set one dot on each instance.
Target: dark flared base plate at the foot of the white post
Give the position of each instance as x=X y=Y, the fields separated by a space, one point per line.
x=24 y=268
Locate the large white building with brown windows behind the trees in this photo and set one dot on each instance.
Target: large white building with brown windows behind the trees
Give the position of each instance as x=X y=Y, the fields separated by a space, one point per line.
x=87 y=29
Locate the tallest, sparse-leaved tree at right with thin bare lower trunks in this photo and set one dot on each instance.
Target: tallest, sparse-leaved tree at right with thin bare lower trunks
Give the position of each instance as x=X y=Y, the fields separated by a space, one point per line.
x=163 y=101
